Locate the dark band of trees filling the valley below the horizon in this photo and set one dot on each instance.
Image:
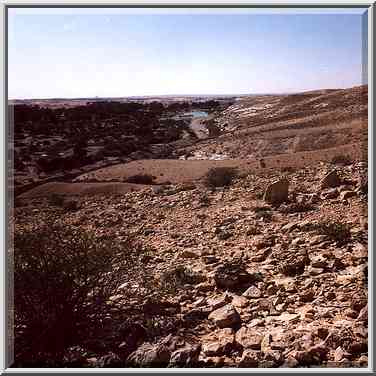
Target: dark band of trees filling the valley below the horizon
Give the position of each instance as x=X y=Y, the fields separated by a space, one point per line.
x=117 y=129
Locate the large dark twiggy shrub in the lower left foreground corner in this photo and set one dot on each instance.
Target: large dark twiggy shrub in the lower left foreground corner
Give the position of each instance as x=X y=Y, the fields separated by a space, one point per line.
x=62 y=279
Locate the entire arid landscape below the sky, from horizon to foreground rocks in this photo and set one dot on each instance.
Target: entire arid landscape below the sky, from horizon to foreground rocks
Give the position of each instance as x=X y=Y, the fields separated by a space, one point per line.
x=234 y=231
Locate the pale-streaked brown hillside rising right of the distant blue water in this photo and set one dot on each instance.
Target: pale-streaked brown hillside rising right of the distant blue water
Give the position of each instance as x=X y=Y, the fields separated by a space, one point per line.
x=260 y=126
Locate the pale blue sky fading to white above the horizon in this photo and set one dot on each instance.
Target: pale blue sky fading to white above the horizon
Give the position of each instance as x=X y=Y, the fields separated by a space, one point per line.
x=110 y=53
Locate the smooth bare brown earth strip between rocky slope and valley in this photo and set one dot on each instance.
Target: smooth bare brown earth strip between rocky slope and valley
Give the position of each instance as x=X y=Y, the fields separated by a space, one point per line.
x=179 y=171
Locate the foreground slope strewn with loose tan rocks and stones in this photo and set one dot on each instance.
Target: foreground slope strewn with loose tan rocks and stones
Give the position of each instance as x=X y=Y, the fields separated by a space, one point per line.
x=242 y=283
